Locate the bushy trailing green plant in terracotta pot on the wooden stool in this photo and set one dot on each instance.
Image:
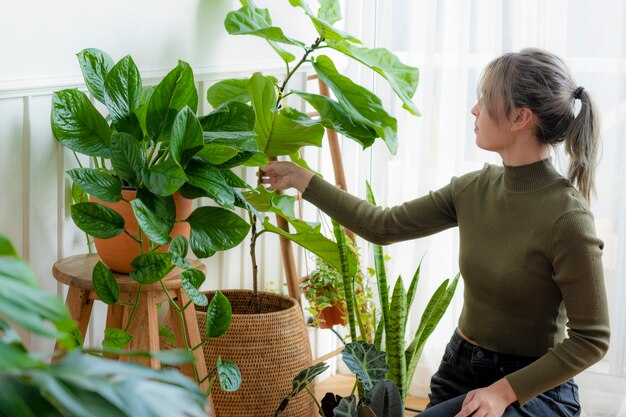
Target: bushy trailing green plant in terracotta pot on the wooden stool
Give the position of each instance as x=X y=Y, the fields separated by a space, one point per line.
x=149 y=157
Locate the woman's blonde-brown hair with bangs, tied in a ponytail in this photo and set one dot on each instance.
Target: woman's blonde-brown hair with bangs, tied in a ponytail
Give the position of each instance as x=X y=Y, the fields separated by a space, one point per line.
x=540 y=81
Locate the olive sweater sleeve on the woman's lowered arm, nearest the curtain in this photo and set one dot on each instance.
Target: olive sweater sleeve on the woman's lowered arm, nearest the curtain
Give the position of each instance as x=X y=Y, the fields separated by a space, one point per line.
x=576 y=256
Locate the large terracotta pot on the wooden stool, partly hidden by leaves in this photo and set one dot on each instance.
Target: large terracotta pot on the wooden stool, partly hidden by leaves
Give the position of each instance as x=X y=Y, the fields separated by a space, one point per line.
x=118 y=252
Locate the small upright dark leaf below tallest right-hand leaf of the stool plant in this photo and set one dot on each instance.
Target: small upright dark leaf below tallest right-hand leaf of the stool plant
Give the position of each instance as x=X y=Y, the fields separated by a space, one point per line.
x=186 y=138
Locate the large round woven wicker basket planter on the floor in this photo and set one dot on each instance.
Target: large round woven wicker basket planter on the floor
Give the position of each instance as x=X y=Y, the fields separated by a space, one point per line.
x=269 y=348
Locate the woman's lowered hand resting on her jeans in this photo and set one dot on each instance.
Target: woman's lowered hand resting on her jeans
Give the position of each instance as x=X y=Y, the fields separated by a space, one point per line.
x=490 y=401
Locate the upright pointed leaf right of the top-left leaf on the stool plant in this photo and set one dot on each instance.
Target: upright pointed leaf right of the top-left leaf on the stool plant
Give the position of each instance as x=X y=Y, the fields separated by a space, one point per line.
x=122 y=90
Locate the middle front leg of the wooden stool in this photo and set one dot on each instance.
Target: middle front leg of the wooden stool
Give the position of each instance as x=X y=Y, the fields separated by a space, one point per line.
x=145 y=328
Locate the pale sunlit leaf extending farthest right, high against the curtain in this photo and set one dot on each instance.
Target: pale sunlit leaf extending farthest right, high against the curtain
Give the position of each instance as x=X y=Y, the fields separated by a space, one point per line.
x=402 y=78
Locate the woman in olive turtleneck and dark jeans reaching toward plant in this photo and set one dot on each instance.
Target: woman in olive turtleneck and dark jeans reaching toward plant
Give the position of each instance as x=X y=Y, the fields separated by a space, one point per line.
x=529 y=255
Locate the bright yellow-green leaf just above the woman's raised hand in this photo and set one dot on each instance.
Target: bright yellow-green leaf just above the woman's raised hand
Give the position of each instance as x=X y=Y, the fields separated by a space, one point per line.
x=277 y=134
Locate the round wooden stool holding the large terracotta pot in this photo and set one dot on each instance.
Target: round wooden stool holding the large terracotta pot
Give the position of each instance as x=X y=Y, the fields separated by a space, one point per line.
x=75 y=271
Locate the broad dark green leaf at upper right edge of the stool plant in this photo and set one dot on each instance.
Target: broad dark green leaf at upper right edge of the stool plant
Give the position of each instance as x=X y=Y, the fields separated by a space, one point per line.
x=232 y=116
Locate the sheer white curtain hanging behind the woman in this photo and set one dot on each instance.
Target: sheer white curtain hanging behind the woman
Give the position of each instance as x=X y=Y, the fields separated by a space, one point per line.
x=450 y=42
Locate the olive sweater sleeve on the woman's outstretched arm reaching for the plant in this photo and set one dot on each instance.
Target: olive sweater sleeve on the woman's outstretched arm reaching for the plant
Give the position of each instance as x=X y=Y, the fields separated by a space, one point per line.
x=414 y=219
